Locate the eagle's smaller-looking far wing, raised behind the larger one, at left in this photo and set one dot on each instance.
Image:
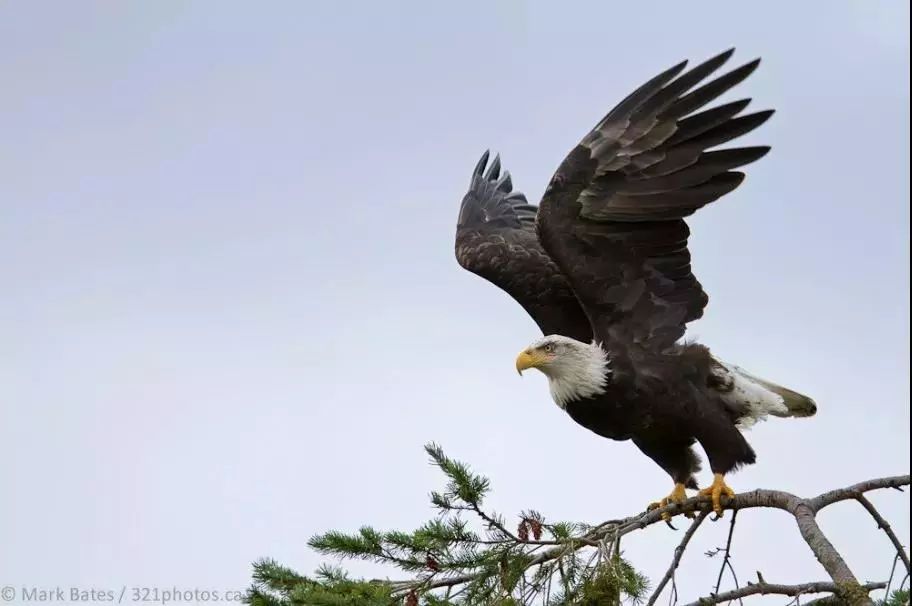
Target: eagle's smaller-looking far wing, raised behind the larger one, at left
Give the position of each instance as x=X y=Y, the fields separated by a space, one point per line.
x=495 y=239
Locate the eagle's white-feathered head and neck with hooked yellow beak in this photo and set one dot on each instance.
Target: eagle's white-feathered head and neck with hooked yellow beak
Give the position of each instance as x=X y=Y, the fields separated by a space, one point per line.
x=575 y=370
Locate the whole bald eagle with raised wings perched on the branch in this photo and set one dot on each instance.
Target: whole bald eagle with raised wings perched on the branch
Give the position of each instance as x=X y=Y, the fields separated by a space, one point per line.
x=602 y=266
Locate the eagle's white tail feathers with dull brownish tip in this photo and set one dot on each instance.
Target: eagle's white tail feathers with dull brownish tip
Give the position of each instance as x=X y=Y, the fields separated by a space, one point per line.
x=755 y=398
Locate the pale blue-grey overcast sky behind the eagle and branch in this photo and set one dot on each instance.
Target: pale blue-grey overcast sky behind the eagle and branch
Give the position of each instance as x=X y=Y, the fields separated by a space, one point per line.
x=231 y=314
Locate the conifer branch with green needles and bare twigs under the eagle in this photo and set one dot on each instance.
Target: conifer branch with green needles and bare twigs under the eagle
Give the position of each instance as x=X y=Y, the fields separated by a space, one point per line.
x=547 y=563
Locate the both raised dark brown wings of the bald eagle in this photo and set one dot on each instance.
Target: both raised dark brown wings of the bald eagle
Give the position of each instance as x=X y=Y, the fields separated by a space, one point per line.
x=609 y=237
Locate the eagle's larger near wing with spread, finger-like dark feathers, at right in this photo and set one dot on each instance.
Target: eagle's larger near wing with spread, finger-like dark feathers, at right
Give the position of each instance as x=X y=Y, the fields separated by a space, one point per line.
x=612 y=217
